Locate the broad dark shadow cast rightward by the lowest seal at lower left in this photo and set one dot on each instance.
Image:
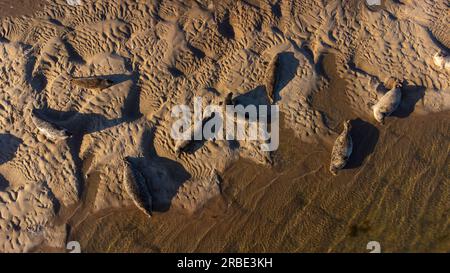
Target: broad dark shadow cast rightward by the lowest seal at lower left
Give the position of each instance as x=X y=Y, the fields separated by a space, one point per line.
x=163 y=176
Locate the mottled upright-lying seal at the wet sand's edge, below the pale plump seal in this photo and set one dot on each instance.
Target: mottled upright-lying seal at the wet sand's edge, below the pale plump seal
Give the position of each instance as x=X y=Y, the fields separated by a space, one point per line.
x=342 y=149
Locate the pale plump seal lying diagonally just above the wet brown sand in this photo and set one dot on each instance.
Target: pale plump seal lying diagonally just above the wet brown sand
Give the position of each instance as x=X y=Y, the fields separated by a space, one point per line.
x=387 y=104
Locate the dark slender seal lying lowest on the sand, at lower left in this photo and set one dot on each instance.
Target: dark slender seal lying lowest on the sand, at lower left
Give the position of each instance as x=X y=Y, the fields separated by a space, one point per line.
x=137 y=189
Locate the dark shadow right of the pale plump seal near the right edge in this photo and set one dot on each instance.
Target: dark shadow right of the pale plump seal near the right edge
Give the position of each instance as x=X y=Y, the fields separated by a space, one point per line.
x=411 y=95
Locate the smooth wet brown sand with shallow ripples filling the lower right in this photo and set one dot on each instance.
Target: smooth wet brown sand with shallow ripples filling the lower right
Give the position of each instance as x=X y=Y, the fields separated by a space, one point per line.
x=397 y=196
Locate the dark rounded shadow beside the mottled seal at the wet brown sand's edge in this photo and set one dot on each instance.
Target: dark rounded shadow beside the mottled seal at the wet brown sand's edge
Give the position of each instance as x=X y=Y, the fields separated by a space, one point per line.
x=365 y=138
